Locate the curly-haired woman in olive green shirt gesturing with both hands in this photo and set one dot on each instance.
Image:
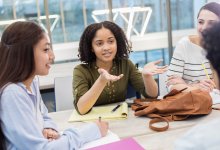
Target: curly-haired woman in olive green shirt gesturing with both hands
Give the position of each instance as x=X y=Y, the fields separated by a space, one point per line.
x=106 y=70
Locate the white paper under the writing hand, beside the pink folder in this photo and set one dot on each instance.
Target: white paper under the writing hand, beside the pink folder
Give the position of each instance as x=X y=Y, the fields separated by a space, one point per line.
x=109 y=138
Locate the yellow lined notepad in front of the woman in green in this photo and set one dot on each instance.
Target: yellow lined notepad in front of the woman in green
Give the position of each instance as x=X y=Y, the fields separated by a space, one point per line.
x=105 y=112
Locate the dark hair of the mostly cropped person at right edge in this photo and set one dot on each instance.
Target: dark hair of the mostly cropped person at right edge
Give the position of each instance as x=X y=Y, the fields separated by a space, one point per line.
x=211 y=42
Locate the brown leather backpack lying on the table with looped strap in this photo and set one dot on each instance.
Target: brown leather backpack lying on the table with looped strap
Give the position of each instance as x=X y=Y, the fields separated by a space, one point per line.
x=176 y=105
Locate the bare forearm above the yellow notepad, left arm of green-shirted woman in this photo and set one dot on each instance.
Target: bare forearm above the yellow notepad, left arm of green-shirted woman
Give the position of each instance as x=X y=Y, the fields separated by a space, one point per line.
x=87 y=101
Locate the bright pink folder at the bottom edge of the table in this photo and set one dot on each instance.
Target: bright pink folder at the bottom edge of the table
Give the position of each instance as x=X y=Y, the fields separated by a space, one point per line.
x=128 y=144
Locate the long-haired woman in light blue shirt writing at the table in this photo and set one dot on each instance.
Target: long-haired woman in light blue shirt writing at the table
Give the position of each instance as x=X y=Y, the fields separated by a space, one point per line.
x=25 y=51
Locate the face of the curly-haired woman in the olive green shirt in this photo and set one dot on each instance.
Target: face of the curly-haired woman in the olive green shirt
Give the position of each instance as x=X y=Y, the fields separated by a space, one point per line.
x=104 y=46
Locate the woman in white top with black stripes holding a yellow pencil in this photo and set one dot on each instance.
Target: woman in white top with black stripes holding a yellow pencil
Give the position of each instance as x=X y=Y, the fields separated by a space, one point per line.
x=188 y=62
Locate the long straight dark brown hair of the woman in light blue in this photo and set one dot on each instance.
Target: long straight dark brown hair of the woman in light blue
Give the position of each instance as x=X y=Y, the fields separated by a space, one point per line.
x=17 y=55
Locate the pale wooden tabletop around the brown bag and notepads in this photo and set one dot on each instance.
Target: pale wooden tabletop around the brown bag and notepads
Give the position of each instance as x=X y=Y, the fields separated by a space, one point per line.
x=137 y=127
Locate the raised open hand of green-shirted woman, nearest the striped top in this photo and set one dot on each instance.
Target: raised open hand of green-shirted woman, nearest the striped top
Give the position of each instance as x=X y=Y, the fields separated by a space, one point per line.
x=152 y=68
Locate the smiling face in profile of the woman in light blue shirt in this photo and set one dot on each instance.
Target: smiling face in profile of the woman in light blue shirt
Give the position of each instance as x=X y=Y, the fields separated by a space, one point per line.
x=43 y=56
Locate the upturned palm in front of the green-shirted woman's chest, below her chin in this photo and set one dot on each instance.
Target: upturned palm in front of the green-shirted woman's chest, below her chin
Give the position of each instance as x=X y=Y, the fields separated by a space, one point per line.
x=108 y=77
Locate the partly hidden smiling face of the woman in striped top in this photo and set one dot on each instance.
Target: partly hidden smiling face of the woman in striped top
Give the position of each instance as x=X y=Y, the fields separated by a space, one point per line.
x=205 y=20
